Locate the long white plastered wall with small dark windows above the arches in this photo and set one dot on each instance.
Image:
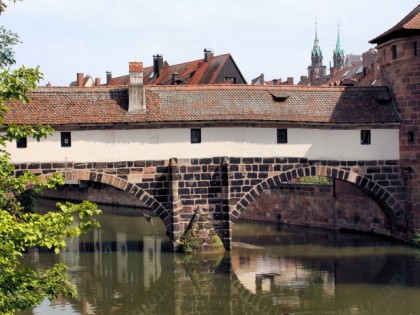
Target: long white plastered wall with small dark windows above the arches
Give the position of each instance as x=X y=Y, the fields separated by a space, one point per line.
x=162 y=144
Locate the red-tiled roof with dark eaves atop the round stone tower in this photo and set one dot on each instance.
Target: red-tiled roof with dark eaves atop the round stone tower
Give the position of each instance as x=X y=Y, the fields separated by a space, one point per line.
x=409 y=24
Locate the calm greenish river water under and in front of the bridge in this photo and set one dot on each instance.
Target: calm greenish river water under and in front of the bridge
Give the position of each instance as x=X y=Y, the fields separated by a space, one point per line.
x=126 y=267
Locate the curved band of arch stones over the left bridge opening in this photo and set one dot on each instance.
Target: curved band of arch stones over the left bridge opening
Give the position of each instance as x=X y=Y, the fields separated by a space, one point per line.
x=123 y=185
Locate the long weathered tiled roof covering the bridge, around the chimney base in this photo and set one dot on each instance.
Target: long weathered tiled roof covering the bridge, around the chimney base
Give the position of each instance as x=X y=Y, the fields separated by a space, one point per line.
x=108 y=105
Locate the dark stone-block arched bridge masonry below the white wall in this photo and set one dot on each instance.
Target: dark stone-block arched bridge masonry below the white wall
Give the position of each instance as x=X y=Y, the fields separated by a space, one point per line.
x=225 y=186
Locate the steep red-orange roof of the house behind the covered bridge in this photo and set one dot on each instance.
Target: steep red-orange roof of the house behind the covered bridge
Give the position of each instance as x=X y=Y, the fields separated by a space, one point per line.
x=193 y=72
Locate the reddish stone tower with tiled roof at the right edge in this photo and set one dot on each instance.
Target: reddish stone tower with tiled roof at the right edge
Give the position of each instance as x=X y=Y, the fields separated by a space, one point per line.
x=399 y=63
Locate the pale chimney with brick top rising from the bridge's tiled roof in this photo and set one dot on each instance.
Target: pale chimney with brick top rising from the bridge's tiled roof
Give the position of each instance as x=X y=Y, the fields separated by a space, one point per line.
x=136 y=93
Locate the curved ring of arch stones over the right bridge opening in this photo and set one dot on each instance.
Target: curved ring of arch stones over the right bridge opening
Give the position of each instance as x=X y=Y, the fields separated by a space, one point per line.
x=392 y=208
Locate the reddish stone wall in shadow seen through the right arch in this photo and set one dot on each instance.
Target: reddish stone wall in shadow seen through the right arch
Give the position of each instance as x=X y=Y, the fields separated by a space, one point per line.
x=323 y=206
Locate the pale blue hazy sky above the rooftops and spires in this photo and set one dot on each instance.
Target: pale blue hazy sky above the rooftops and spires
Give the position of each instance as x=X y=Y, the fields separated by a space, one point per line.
x=274 y=37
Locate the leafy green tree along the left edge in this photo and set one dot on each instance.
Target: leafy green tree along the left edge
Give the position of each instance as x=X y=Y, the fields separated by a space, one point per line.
x=22 y=287
